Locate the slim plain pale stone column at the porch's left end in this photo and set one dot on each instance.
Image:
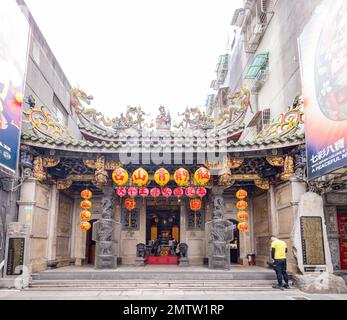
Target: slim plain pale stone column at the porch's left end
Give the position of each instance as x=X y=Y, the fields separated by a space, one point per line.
x=52 y=231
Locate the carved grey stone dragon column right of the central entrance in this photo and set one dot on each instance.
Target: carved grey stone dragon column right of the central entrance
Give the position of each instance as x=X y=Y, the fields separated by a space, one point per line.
x=220 y=232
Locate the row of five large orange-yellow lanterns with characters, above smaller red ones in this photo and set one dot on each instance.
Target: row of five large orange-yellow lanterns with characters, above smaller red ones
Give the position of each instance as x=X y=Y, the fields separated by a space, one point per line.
x=140 y=177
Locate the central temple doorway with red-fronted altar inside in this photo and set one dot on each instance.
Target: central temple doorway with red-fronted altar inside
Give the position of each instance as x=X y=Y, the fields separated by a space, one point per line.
x=162 y=234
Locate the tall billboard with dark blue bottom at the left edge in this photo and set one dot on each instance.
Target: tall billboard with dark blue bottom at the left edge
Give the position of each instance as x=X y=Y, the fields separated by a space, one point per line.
x=14 y=32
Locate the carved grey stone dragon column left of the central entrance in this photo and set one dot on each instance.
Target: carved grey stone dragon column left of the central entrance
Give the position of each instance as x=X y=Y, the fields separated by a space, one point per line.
x=104 y=233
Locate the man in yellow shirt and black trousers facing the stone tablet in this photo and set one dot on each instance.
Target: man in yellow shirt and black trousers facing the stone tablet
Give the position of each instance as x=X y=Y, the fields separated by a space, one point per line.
x=279 y=256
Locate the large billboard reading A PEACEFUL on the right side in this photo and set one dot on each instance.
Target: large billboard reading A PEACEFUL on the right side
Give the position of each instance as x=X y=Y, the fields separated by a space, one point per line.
x=323 y=55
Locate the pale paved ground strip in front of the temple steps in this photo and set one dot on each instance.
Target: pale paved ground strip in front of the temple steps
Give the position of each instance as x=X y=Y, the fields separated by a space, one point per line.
x=291 y=294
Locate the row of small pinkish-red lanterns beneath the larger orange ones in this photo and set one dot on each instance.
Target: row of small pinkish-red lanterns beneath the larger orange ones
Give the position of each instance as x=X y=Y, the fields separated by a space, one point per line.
x=166 y=192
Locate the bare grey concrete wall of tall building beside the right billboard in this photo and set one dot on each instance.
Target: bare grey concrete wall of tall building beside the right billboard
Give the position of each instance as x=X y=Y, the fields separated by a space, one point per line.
x=280 y=39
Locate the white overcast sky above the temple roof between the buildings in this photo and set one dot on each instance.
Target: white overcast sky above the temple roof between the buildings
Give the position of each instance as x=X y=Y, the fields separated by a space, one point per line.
x=138 y=52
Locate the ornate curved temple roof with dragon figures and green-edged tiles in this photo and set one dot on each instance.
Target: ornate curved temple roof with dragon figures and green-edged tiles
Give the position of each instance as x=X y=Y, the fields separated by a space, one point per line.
x=196 y=133
